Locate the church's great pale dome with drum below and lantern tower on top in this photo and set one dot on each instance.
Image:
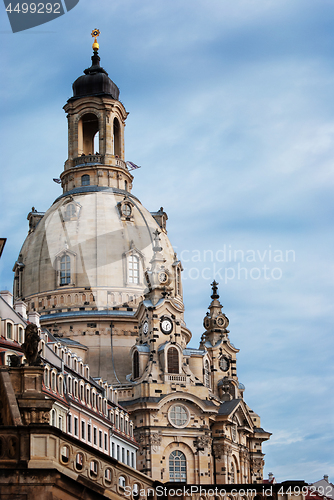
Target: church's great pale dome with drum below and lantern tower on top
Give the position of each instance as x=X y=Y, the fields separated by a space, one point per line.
x=82 y=266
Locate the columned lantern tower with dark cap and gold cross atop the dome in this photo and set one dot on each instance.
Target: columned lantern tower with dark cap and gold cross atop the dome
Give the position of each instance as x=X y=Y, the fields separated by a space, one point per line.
x=96 y=121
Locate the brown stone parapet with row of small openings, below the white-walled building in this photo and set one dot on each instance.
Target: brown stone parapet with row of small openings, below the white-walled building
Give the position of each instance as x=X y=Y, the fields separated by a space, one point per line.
x=46 y=447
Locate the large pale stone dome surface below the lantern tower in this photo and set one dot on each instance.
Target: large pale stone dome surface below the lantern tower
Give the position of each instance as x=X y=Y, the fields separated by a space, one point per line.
x=92 y=240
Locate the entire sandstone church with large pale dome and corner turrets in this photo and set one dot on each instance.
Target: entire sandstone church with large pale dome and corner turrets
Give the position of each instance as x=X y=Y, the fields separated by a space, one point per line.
x=100 y=271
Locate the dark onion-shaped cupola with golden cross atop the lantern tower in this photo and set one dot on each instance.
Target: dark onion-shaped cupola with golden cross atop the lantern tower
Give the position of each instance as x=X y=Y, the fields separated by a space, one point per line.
x=95 y=81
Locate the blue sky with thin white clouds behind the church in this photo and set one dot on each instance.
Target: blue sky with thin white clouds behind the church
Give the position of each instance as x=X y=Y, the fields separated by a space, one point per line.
x=232 y=119
